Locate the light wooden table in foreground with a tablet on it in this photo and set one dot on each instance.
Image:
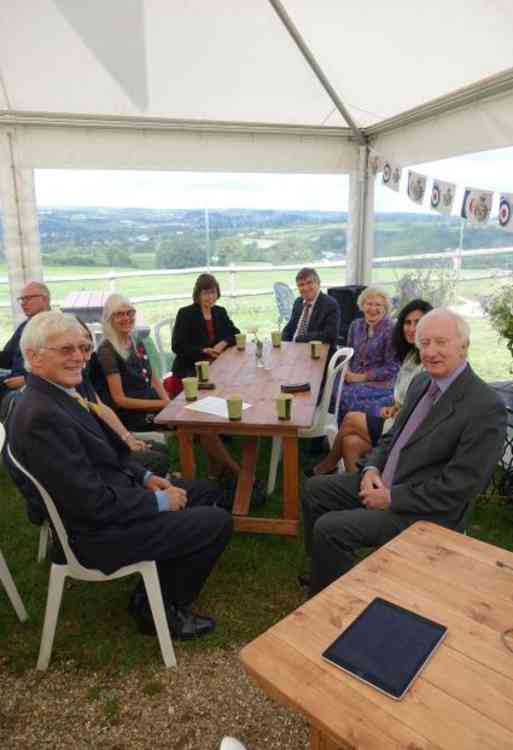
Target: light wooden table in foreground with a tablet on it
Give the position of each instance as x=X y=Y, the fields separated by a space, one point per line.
x=463 y=700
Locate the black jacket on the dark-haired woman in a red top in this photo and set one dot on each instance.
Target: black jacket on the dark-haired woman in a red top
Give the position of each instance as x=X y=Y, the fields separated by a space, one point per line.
x=190 y=336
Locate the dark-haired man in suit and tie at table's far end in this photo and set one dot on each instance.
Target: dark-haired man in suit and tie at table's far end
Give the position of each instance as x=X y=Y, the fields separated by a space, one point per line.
x=315 y=315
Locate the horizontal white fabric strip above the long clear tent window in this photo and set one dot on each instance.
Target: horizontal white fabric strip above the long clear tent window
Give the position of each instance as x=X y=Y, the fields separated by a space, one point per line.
x=62 y=147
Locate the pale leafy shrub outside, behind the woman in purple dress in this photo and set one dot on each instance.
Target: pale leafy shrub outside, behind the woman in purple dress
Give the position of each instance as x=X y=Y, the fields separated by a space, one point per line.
x=433 y=285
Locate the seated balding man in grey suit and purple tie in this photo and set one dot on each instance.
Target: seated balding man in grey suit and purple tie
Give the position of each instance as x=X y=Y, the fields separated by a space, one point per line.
x=431 y=466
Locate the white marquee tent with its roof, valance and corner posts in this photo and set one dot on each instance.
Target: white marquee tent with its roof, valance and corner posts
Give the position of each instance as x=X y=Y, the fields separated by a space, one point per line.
x=245 y=85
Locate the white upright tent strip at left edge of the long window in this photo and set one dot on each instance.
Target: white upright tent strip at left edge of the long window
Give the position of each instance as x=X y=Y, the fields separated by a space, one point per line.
x=20 y=223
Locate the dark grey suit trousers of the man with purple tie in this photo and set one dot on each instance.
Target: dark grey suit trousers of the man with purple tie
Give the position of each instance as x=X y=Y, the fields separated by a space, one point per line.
x=336 y=523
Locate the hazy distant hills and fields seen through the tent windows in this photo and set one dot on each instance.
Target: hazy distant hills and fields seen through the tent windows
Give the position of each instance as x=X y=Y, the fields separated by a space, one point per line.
x=170 y=238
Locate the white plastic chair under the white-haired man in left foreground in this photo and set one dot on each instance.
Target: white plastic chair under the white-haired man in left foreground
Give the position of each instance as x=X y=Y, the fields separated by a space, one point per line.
x=73 y=569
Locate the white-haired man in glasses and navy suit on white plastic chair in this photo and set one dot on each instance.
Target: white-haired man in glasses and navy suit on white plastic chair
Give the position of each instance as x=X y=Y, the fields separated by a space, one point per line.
x=115 y=513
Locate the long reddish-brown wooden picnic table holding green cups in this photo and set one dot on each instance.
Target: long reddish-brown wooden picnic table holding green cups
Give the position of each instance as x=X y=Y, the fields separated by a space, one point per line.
x=236 y=372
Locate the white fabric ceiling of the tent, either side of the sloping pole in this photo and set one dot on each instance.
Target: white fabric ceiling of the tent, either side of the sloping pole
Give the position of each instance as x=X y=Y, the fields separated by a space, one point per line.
x=233 y=60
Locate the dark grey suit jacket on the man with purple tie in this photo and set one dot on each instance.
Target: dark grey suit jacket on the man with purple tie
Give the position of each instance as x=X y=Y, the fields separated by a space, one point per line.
x=450 y=458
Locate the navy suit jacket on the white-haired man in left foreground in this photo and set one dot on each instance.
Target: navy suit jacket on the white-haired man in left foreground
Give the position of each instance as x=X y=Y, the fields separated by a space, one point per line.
x=85 y=467
